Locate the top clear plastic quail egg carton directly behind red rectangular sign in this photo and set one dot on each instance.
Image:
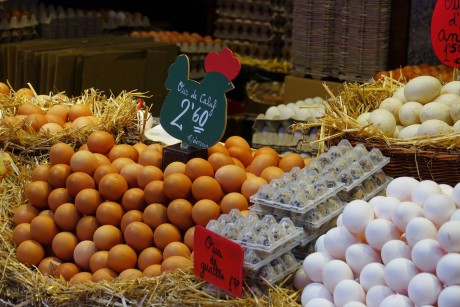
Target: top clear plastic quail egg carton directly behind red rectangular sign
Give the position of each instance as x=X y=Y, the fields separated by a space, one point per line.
x=265 y=235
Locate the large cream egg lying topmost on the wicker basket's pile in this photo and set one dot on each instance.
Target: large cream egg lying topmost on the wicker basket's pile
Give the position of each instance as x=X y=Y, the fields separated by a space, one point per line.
x=422 y=89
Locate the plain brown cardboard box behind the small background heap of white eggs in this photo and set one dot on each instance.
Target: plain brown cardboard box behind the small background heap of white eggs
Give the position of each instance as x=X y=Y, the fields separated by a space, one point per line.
x=296 y=88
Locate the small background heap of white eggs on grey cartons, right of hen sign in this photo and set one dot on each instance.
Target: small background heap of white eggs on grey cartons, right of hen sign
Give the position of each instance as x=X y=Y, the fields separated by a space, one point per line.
x=309 y=109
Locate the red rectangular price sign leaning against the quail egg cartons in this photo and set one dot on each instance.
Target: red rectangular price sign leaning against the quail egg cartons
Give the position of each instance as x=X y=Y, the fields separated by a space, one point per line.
x=218 y=261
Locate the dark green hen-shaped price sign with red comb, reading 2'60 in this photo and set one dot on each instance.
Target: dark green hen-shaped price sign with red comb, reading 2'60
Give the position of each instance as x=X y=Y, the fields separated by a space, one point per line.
x=196 y=112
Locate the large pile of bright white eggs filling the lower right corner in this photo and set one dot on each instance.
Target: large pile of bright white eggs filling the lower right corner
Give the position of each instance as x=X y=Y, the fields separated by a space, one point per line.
x=402 y=249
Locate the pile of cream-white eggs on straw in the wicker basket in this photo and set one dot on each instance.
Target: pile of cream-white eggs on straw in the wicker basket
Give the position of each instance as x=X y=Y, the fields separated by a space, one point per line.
x=424 y=106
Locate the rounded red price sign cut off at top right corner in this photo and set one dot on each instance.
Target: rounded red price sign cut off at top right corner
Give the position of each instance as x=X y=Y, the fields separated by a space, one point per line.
x=445 y=32
